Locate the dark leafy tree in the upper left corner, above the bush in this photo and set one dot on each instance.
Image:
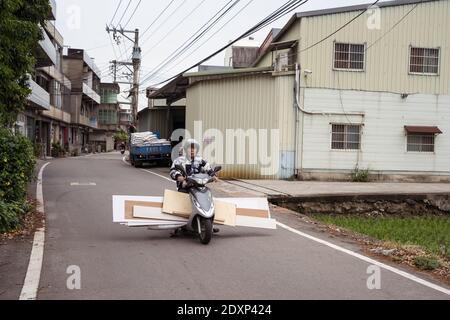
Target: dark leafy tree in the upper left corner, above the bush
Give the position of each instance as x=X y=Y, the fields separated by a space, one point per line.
x=20 y=33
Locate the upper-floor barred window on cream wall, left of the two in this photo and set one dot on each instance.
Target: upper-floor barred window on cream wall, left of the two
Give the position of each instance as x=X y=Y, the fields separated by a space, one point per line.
x=349 y=56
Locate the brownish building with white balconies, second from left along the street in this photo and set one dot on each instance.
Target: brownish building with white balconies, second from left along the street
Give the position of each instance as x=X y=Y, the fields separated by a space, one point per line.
x=85 y=98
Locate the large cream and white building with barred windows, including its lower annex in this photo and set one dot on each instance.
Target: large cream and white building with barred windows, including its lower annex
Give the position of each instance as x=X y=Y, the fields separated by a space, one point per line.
x=372 y=95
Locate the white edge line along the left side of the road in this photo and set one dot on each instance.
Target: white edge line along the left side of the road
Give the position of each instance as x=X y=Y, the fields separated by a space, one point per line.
x=31 y=283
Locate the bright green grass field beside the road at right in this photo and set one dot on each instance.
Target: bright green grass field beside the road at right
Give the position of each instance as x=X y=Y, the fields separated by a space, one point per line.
x=430 y=233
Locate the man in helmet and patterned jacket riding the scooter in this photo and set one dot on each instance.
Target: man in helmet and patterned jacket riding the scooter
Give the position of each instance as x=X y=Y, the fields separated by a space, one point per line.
x=192 y=164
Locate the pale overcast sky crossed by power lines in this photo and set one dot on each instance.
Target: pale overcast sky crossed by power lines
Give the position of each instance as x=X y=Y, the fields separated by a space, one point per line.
x=83 y=22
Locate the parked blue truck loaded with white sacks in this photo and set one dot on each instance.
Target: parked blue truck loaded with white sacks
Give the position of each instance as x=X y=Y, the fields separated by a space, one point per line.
x=147 y=148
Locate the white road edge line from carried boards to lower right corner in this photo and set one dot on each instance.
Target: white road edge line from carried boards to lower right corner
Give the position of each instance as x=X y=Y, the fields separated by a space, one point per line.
x=368 y=260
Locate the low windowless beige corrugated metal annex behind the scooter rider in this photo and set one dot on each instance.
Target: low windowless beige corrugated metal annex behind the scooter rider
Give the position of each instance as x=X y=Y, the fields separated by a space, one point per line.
x=254 y=99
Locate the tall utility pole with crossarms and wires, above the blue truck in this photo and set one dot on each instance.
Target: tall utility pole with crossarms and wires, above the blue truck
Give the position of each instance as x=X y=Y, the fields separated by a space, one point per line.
x=136 y=63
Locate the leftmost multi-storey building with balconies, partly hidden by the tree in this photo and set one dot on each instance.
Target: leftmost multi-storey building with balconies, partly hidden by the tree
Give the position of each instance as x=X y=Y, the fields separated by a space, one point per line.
x=47 y=118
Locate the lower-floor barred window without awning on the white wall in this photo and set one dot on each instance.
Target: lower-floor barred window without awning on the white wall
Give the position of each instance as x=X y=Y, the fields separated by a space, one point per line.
x=346 y=137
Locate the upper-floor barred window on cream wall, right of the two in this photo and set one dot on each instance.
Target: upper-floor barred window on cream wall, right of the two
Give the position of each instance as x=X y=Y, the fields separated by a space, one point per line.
x=424 y=61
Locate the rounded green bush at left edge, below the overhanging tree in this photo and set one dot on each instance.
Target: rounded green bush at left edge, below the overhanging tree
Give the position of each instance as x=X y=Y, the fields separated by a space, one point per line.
x=17 y=164
